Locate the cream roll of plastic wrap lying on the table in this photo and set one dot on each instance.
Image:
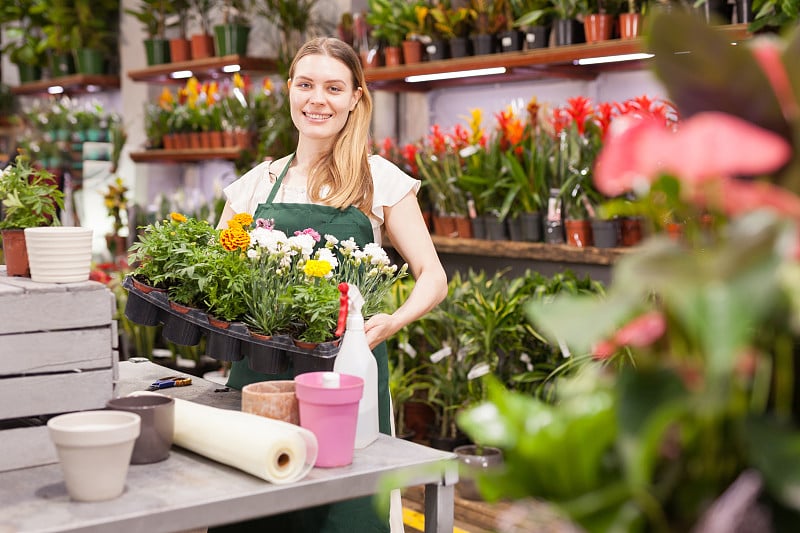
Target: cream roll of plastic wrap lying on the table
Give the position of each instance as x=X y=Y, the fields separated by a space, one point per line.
x=272 y=450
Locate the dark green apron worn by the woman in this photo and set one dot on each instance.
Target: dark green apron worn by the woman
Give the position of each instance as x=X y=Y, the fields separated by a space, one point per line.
x=350 y=516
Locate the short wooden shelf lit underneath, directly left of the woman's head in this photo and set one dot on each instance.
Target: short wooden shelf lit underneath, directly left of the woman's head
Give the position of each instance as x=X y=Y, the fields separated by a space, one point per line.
x=207 y=68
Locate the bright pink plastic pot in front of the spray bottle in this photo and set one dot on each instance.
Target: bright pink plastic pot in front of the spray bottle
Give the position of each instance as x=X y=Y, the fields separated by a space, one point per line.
x=328 y=404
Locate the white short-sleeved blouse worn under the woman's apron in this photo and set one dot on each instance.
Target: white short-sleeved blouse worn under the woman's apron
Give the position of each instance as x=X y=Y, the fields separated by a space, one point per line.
x=389 y=182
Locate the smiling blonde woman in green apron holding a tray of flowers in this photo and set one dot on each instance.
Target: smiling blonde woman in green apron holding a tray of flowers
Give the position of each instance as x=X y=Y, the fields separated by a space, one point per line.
x=331 y=185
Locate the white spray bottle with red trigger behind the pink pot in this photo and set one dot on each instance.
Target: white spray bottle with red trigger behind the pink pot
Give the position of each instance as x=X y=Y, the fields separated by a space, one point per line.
x=355 y=358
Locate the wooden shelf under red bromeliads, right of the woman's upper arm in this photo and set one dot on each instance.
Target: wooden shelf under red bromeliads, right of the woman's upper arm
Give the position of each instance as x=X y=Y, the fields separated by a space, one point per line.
x=539 y=251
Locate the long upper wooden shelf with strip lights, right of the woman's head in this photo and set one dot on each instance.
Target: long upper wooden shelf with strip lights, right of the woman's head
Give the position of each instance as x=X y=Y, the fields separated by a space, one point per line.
x=557 y=61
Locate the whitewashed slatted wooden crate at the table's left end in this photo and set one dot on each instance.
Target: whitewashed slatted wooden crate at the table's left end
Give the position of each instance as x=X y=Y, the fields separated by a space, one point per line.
x=58 y=353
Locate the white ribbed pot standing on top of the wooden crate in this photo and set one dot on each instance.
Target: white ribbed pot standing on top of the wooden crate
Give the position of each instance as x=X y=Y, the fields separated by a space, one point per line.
x=59 y=254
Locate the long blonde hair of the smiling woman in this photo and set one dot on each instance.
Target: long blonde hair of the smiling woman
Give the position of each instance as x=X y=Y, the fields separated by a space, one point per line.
x=344 y=170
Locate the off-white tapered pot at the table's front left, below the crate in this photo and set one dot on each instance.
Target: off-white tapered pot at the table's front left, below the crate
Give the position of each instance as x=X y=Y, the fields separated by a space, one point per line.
x=94 y=449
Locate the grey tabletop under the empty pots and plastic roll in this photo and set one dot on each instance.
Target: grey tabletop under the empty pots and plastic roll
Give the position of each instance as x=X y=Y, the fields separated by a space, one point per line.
x=189 y=491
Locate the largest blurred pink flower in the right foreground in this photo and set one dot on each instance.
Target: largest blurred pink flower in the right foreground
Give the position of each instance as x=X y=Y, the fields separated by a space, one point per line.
x=707 y=146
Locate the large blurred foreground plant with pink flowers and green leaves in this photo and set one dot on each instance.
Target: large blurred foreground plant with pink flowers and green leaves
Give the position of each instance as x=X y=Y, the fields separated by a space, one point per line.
x=691 y=386
